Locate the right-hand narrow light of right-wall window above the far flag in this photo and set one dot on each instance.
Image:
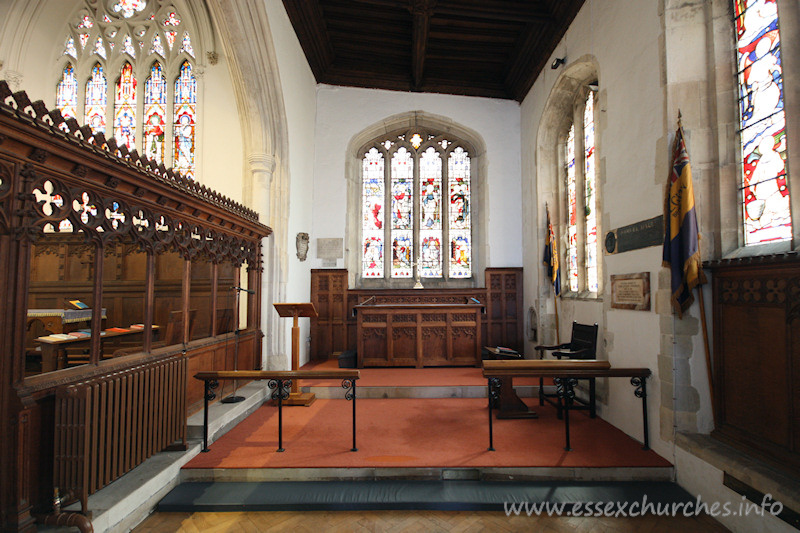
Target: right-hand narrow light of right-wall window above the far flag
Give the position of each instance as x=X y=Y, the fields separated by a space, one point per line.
x=590 y=199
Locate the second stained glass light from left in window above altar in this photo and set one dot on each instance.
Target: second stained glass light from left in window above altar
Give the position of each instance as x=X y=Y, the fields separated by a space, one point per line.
x=402 y=181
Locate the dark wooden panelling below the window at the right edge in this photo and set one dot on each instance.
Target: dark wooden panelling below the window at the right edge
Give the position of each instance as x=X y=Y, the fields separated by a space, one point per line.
x=757 y=355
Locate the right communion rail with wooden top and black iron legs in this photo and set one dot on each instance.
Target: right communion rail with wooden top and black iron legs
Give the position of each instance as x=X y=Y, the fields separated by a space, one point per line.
x=565 y=375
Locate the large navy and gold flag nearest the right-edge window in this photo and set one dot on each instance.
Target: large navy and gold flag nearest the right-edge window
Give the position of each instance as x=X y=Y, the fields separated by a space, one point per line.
x=681 y=238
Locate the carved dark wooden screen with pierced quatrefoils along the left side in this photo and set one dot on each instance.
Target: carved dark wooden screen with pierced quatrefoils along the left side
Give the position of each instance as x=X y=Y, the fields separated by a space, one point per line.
x=117 y=285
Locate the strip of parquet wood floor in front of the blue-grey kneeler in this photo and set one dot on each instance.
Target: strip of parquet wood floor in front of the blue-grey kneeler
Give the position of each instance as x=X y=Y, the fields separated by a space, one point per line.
x=413 y=522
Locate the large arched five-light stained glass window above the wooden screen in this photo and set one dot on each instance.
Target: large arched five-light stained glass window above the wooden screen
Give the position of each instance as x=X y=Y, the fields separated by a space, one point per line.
x=154 y=43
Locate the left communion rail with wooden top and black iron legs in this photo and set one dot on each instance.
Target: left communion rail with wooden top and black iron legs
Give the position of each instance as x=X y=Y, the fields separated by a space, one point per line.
x=280 y=382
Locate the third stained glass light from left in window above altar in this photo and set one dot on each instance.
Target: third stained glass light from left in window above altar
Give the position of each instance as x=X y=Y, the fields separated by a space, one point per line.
x=430 y=232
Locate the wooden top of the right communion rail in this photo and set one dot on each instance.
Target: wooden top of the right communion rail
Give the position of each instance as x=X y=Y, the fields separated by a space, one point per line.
x=558 y=369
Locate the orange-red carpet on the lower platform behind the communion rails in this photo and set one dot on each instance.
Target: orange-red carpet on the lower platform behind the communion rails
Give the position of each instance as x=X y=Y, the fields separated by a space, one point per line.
x=434 y=433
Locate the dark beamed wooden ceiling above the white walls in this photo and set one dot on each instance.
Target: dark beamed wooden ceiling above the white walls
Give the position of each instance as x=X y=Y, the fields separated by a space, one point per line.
x=493 y=48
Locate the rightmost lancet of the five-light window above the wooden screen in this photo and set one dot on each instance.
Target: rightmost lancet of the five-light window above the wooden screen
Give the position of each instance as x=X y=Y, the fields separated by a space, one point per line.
x=185 y=121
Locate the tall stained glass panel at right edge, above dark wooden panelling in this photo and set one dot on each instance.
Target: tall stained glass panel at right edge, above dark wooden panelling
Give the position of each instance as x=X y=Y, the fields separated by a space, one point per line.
x=764 y=190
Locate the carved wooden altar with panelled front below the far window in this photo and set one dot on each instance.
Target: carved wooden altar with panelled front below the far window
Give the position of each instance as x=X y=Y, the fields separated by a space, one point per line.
x=419 y=334
